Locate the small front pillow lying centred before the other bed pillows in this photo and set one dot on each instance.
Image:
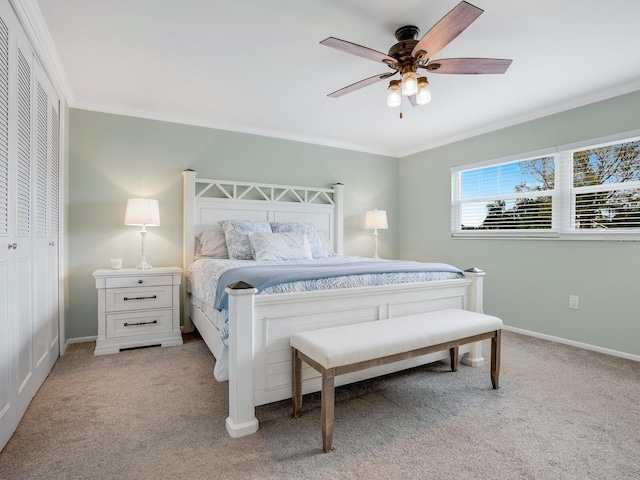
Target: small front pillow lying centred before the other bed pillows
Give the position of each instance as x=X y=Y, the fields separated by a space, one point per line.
x=281 y=246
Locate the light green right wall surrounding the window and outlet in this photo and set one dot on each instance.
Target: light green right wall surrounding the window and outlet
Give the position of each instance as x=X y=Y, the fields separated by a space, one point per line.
x=528 y=282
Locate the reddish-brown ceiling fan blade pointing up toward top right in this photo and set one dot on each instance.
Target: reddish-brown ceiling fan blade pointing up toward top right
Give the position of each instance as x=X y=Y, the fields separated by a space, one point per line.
x=448 y=28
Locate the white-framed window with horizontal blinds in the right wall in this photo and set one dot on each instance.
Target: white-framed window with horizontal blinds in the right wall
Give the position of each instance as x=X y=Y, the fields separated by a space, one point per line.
x=572 y=192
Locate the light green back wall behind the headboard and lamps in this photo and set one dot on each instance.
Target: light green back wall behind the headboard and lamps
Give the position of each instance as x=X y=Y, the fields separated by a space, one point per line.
x=112 y=158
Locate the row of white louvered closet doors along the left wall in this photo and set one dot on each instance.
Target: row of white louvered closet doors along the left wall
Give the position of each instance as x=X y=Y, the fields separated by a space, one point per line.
x=29 y=206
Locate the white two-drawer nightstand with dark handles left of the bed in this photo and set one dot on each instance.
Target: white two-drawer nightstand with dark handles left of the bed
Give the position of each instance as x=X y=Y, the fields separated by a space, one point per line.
x=138 y=308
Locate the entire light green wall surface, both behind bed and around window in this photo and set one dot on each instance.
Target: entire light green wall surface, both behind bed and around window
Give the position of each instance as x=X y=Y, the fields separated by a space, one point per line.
x=528 y=282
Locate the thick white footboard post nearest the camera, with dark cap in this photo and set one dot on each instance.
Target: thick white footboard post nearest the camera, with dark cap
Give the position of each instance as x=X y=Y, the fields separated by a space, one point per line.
x=242 y=415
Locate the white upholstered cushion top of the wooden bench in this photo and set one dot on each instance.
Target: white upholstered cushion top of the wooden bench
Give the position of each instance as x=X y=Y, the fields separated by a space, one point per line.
x=348 y=344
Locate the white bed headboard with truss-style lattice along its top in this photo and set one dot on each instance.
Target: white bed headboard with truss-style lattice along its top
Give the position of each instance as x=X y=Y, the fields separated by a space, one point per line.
x=205 y=202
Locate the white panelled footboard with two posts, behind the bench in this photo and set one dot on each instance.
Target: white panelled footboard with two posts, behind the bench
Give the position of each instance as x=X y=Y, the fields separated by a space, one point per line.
x=260 y=327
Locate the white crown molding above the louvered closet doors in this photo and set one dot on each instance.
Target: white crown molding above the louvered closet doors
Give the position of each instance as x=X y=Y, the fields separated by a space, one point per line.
x=31 y=19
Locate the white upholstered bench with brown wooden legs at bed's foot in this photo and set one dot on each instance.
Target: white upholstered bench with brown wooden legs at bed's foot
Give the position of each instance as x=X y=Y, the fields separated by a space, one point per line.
x=349 y=348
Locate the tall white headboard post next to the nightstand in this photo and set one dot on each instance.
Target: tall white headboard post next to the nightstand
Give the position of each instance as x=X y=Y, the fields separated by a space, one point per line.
x=188 y=239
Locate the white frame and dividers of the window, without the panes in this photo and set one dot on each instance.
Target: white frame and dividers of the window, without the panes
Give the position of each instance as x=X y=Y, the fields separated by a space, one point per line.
x=563 y=196
